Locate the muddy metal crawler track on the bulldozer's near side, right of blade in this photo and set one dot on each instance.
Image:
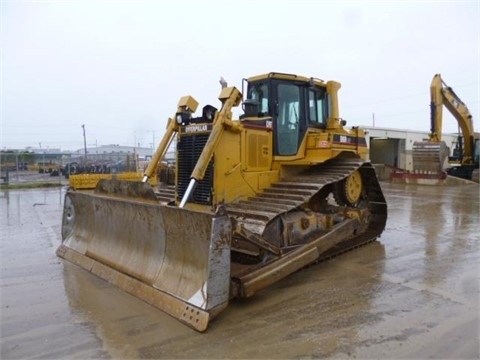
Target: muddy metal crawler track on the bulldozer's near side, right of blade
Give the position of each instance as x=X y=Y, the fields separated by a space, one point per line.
x=306 y=190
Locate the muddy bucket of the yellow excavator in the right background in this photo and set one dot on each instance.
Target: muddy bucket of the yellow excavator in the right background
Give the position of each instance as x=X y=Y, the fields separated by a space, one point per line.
x=429 y=156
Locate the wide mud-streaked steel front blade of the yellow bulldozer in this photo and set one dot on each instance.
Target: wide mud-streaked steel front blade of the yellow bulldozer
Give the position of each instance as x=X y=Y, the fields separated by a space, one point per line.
x=175 y=259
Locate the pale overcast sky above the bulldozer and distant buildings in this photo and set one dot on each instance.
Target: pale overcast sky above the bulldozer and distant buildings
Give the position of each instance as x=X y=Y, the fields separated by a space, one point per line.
x=119 y=67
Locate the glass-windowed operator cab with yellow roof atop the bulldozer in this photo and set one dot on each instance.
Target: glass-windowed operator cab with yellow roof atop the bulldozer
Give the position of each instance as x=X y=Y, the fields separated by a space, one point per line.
x=290 y=104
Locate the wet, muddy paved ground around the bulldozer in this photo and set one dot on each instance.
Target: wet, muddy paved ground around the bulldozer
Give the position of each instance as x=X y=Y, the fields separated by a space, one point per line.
x=413 y=294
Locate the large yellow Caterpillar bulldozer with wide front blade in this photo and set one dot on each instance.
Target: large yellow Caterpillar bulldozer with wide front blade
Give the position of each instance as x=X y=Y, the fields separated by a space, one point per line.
x=255 y=199
